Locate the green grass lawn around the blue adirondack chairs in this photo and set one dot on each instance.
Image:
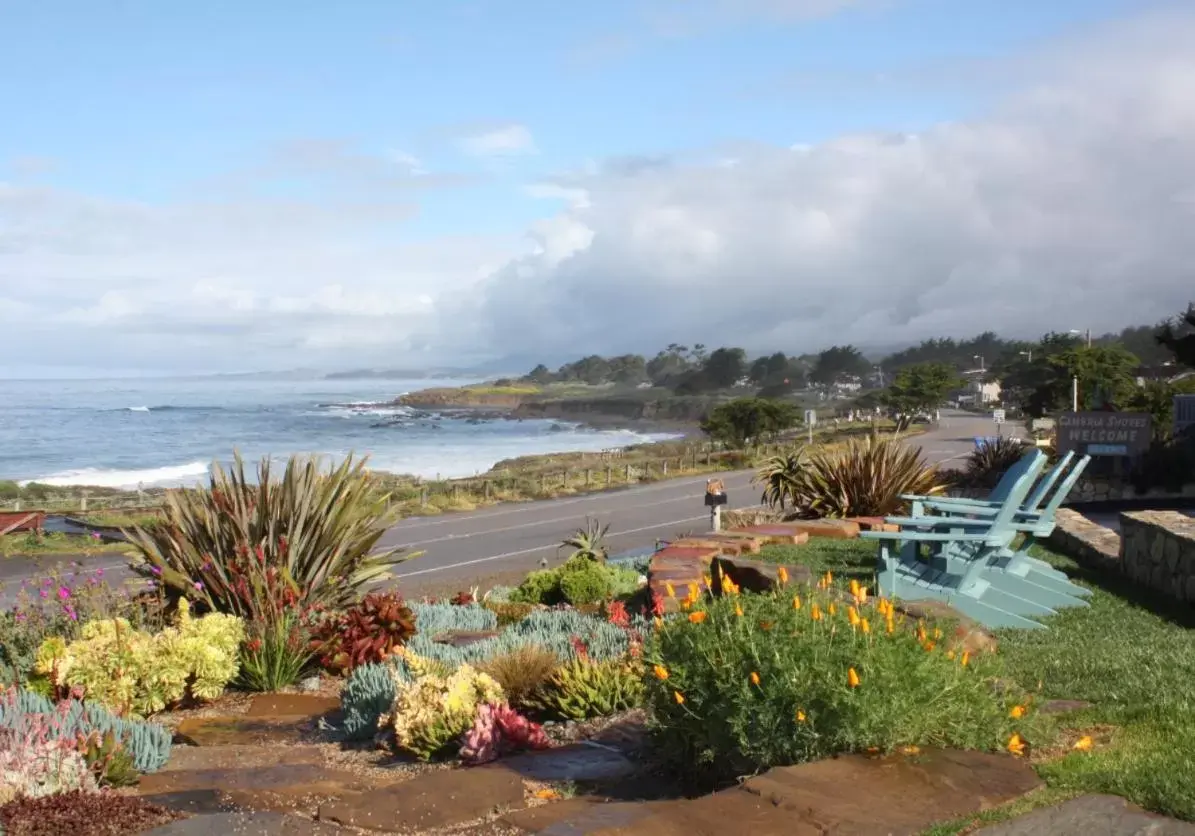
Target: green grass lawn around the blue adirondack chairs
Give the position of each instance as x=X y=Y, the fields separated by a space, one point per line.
x=1131 y=655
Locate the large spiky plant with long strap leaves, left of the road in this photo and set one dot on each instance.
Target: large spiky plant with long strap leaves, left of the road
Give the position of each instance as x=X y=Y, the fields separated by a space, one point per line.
x=256 y=550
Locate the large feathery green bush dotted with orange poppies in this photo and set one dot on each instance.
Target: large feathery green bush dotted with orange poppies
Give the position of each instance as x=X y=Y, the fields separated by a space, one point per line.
x=750 y=683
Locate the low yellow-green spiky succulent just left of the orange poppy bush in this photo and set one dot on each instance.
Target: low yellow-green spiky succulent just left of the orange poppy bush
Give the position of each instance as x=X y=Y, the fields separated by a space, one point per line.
x=584 y=689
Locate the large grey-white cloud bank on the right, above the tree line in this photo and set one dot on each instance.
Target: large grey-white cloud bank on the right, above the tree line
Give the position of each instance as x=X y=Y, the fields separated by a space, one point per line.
x=1068 y=206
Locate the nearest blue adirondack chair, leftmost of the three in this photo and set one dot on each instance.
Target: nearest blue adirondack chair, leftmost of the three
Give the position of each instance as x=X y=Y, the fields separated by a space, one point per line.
x=958 y=577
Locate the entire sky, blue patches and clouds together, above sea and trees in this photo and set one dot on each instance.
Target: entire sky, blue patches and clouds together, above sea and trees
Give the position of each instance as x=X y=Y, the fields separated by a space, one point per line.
x=234 y=187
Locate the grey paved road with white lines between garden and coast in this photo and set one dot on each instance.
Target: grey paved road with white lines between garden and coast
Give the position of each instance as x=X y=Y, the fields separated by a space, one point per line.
x=502 y=543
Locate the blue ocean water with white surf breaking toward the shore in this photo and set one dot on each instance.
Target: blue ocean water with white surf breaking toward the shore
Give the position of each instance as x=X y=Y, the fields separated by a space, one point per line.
x=167 y=433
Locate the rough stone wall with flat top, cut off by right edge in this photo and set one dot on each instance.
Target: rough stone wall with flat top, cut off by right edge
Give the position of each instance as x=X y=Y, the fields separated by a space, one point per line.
x=1159 y=551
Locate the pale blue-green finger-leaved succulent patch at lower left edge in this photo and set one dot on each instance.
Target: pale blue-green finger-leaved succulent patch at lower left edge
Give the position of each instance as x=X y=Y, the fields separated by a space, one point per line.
x=23 y=714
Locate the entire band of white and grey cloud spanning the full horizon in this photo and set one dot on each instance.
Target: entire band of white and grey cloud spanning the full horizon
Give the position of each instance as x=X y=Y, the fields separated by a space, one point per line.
x=1068 y=206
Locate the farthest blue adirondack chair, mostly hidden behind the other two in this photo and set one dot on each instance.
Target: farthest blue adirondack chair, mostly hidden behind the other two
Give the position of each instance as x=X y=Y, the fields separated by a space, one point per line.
x=1033 y=520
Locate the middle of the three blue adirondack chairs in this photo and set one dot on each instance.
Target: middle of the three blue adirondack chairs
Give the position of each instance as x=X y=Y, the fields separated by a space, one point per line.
x=1014 y=570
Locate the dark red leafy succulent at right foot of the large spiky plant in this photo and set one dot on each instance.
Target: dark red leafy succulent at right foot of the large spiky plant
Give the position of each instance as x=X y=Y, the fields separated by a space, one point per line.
x=366 y=632
